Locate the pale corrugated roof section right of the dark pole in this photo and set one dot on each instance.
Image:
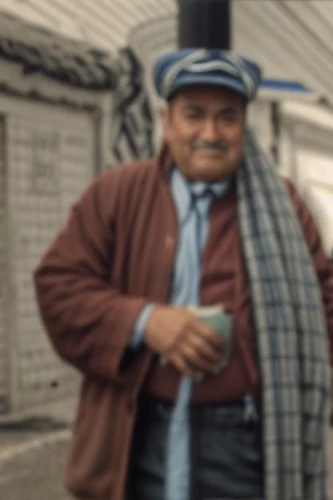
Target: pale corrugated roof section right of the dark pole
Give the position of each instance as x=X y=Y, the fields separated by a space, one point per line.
x=290 y=39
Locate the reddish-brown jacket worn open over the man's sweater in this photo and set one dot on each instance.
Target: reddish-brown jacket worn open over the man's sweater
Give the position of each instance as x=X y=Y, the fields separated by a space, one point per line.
x=114 y=255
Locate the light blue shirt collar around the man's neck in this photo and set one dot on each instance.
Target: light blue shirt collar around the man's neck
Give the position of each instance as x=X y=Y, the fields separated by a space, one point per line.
x=181 y=191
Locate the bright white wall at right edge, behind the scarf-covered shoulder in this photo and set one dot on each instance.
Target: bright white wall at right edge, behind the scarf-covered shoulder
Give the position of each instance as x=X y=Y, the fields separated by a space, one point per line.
x=307 y=158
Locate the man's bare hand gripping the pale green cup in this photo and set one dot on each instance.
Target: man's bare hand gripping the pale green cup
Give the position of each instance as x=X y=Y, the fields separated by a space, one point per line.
x=183 y=339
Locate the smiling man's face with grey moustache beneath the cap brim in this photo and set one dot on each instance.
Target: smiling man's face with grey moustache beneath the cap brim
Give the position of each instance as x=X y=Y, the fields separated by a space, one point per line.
x=204 y=128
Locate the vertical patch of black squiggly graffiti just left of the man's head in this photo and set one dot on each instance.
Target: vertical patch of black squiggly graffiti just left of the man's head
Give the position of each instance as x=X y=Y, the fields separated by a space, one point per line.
x=132 y=116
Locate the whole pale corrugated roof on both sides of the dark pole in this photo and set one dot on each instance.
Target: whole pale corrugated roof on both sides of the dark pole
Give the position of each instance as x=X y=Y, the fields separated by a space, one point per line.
x=291 y=39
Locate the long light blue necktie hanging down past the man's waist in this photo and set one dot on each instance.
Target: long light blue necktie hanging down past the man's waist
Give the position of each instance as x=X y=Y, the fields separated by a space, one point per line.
x=178 y=445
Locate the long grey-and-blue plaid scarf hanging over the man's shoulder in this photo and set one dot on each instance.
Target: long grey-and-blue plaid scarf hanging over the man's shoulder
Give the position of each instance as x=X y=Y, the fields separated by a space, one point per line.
x=291 y=333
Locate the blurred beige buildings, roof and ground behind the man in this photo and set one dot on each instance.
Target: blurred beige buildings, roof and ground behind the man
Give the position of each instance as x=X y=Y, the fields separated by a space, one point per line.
x=76 y=98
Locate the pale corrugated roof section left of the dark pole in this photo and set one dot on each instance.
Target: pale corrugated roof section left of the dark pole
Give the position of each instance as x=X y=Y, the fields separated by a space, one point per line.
x=102 y=22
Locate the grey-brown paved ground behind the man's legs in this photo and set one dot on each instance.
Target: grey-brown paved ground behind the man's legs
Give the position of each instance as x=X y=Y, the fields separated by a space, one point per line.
x=33 y=455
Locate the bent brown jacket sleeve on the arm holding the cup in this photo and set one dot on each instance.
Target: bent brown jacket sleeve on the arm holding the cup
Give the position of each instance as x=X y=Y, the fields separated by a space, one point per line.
x=88 y=320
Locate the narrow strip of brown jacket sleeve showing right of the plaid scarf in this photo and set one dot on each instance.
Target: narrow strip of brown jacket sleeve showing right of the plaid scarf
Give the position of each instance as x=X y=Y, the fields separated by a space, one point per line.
x=323 y=264
